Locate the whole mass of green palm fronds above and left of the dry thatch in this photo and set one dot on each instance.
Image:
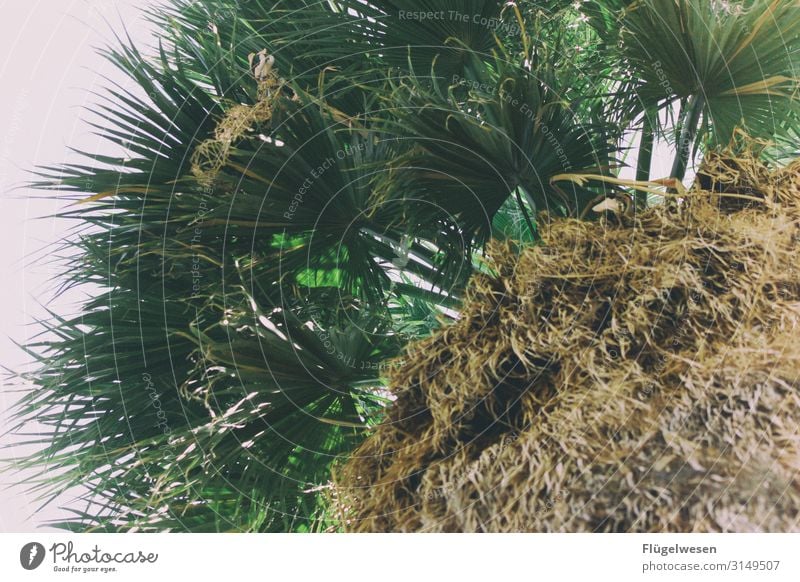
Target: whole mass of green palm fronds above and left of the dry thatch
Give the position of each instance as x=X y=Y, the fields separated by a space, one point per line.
x=282 y=227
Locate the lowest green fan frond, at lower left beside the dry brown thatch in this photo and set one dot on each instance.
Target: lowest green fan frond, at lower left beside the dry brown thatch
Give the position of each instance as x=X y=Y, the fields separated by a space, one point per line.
x=266 y=401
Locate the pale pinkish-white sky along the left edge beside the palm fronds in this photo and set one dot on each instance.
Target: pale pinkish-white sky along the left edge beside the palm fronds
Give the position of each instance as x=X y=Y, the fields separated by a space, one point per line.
x=48 y=68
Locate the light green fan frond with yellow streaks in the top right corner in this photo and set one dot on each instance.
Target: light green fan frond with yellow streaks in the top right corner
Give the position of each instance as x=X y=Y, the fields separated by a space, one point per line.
x=740 y=58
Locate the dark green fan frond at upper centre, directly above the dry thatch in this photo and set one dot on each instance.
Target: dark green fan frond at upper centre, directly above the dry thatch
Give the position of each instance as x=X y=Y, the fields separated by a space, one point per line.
x=507 y=129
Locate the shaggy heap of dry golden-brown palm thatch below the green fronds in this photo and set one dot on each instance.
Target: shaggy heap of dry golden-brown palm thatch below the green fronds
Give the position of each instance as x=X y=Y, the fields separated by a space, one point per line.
x=637 y=377
